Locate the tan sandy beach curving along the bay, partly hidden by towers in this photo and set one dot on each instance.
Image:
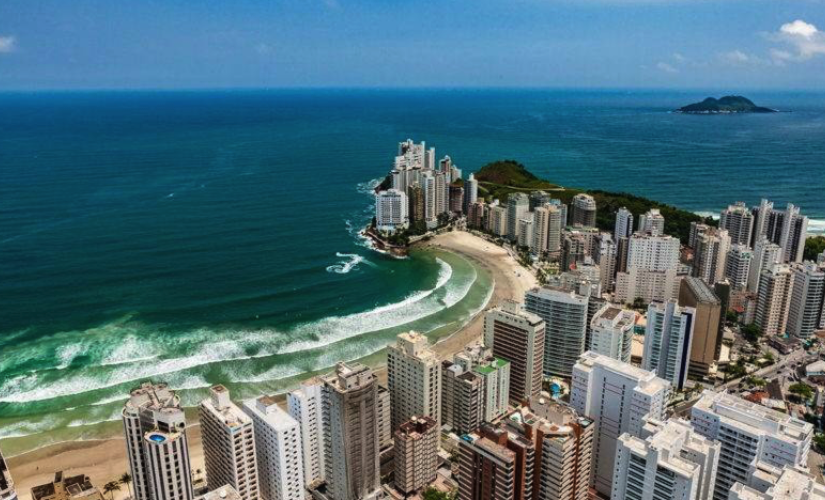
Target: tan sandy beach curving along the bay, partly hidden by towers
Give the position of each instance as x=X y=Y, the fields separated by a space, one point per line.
x=105 y=460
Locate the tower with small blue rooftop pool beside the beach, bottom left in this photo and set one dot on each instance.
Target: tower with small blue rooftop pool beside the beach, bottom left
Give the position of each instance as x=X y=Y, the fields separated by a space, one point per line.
x=156 y=444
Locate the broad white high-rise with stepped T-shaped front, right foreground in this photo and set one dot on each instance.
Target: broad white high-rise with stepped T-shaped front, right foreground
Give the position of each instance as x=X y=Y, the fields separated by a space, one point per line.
x=619 y=398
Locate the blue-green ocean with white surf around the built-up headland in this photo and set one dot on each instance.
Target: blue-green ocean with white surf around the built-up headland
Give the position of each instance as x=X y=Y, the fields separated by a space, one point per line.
x=205 y=237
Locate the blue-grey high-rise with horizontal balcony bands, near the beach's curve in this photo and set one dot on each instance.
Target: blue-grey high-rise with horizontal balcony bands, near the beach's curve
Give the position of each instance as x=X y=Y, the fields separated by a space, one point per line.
x=565 y=327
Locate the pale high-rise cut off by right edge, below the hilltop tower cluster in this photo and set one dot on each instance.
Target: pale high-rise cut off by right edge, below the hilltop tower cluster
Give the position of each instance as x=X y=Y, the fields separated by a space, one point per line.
x=807 y=295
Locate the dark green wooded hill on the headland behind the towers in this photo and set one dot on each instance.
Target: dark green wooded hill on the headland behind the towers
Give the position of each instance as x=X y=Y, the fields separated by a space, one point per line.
x=500 y=178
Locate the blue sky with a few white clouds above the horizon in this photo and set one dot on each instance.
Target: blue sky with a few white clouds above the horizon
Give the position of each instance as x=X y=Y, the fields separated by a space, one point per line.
x=742 y=44
